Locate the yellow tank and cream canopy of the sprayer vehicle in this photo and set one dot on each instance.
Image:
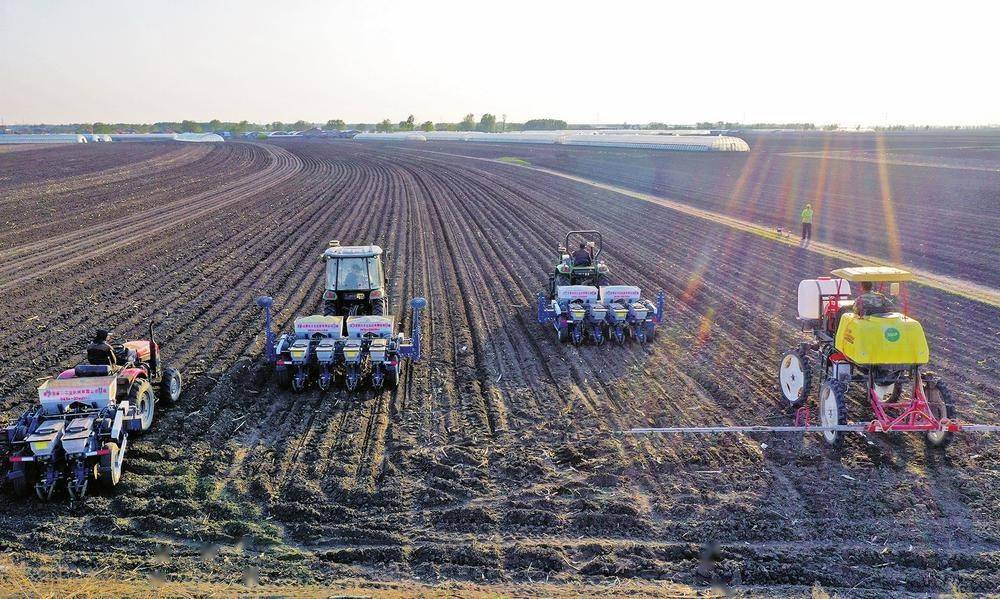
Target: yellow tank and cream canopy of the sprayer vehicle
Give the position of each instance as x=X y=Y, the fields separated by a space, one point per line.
x=876 y=330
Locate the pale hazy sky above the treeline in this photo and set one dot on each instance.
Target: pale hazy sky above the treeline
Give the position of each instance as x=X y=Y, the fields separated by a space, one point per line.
x=846 y=62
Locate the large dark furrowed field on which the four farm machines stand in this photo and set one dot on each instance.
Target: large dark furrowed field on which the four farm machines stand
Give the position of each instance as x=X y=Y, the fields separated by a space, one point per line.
x=498 y=458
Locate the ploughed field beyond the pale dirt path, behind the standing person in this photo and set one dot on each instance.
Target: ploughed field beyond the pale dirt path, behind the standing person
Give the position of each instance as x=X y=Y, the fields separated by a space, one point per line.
x=926 y=200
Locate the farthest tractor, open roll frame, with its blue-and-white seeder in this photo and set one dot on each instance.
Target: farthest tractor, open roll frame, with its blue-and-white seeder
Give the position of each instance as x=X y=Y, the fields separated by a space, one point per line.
x=582 y=303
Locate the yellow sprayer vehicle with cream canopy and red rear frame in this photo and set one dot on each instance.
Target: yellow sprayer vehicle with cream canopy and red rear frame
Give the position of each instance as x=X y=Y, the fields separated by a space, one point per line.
x=866 y=338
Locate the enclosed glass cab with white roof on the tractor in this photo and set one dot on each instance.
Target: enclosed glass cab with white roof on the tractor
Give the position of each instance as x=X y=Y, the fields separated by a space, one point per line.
x=355 y=280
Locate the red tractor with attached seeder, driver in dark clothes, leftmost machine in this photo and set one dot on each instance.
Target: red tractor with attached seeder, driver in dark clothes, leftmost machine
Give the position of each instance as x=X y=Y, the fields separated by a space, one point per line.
x=80 y=429
